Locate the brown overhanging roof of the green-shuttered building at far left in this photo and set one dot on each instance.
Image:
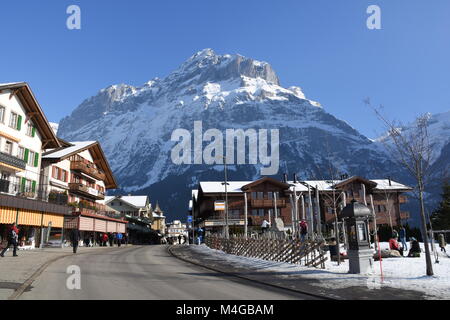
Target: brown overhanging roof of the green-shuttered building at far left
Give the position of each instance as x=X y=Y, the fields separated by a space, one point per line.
x=33 y=111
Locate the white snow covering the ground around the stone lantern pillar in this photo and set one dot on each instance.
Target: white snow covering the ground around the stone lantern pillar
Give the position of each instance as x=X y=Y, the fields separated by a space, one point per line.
x=402 y=273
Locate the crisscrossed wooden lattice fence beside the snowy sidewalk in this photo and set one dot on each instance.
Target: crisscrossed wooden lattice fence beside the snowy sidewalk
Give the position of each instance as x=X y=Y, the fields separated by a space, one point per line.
x=307 y=253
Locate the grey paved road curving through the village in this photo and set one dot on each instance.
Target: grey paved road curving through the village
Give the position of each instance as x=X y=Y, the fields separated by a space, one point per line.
x=144 y=273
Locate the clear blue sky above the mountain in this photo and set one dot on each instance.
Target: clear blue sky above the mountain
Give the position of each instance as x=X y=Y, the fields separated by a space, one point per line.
x=323 y=46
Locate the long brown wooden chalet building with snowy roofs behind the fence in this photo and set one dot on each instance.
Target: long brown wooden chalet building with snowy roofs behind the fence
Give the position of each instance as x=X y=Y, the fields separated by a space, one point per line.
x=292 y=201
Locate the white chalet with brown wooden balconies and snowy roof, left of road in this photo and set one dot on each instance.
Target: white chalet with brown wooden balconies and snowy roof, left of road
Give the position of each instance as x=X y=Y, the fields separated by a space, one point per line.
x=78 y=174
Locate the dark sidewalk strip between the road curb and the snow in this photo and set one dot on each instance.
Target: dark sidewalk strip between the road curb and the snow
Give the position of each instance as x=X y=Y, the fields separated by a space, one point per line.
x=294 y=280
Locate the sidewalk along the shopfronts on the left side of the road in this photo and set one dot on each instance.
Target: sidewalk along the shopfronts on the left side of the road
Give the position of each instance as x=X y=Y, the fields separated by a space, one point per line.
x=15 y=271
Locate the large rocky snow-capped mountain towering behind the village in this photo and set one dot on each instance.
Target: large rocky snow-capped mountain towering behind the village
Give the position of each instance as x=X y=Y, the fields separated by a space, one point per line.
x=135 y=124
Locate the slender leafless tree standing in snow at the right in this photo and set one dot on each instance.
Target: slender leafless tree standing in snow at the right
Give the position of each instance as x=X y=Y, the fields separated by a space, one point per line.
x=412 y=150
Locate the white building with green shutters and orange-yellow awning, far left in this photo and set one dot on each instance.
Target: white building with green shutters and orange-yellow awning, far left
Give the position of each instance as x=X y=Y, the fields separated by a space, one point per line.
x=24 y=134
